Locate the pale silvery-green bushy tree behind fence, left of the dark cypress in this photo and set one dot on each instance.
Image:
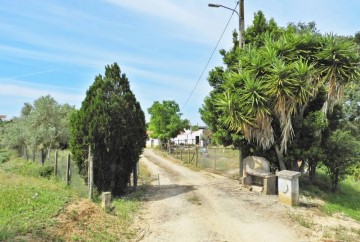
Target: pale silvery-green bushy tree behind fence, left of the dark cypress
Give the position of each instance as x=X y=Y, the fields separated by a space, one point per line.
x=43 y=124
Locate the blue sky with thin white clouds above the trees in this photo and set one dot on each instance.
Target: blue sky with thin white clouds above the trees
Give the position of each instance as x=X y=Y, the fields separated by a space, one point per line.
x=58 y=47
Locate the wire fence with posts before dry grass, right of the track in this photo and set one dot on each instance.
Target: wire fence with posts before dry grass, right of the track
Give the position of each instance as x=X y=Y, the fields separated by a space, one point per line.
x=223 y=160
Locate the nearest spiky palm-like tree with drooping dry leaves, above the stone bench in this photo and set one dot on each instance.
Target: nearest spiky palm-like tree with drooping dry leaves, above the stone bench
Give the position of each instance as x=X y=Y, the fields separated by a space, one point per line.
x=272 y=84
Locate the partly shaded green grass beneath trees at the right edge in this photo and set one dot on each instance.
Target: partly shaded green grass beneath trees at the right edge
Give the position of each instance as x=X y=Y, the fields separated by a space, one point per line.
x=345 y=201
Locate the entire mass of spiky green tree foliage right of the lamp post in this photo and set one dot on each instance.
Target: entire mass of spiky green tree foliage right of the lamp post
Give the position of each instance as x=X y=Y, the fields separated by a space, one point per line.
x=279 y=81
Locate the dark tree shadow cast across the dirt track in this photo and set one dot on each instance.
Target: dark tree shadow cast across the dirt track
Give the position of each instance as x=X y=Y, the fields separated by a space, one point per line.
x=160 y=192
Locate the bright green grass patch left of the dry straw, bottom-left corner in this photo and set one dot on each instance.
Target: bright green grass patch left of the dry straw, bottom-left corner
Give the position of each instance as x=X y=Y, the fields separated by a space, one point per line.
x=27 y=203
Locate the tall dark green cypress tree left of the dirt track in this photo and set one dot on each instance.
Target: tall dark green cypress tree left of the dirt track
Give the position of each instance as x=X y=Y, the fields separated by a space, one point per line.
x=112 y=122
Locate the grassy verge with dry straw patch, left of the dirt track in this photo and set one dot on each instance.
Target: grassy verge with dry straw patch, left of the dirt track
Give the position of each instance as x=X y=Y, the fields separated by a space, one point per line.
x=34 y=206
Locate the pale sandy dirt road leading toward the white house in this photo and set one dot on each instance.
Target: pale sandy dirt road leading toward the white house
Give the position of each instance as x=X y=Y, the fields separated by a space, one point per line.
x=199 y=206
